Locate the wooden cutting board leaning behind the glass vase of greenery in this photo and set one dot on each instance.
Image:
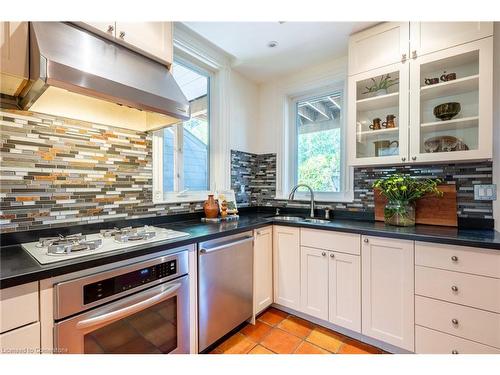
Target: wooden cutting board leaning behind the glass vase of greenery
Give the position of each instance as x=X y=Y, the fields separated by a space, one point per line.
x=431 y=210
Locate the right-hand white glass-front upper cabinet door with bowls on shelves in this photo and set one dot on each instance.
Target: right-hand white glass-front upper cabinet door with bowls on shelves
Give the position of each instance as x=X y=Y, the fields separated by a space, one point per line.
x=451 y=104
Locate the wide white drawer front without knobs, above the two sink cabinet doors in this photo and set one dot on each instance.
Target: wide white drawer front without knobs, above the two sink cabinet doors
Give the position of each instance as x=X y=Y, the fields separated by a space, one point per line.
x=321 y=239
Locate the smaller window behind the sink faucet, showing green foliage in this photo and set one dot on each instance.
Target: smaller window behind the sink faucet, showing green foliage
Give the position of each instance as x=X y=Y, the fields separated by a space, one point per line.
x=317 y=145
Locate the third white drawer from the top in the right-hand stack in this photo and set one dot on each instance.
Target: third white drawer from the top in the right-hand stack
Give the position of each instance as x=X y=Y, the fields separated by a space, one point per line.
x=466 y=322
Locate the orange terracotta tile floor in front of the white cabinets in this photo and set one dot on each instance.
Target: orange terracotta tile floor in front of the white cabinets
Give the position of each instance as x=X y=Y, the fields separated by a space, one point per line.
x=277 y=332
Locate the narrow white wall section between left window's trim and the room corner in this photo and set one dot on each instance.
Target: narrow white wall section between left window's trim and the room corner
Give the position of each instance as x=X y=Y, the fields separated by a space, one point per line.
x=244 y=113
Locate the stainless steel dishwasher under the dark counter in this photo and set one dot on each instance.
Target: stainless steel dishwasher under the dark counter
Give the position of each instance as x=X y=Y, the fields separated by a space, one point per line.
x=225 y=286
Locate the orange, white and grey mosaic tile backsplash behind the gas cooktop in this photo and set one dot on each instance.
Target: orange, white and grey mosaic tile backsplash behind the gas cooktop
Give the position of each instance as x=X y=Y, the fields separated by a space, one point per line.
x=57 y=172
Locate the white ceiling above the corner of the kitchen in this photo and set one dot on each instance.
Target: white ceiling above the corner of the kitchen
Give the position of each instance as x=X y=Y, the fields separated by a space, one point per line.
x=300 y=44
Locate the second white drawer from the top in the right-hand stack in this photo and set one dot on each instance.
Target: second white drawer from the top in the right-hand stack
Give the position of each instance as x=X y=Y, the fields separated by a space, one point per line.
x=470 y=290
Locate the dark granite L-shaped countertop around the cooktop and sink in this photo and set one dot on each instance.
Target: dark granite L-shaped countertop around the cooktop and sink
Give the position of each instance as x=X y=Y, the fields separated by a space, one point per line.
x=18 y=267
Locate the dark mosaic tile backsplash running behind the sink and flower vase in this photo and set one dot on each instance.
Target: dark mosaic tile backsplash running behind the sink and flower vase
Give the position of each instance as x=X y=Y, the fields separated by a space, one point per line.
x=464 y=175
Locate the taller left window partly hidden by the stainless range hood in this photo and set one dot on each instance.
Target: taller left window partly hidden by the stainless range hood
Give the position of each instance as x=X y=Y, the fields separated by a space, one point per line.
x=185 y=147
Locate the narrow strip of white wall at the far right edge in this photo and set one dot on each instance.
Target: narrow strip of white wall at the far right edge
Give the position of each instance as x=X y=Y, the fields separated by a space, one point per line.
x=496 y=122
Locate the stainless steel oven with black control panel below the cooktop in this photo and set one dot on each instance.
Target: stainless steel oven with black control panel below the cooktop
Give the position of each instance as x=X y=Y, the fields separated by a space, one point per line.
x=140 y=308
